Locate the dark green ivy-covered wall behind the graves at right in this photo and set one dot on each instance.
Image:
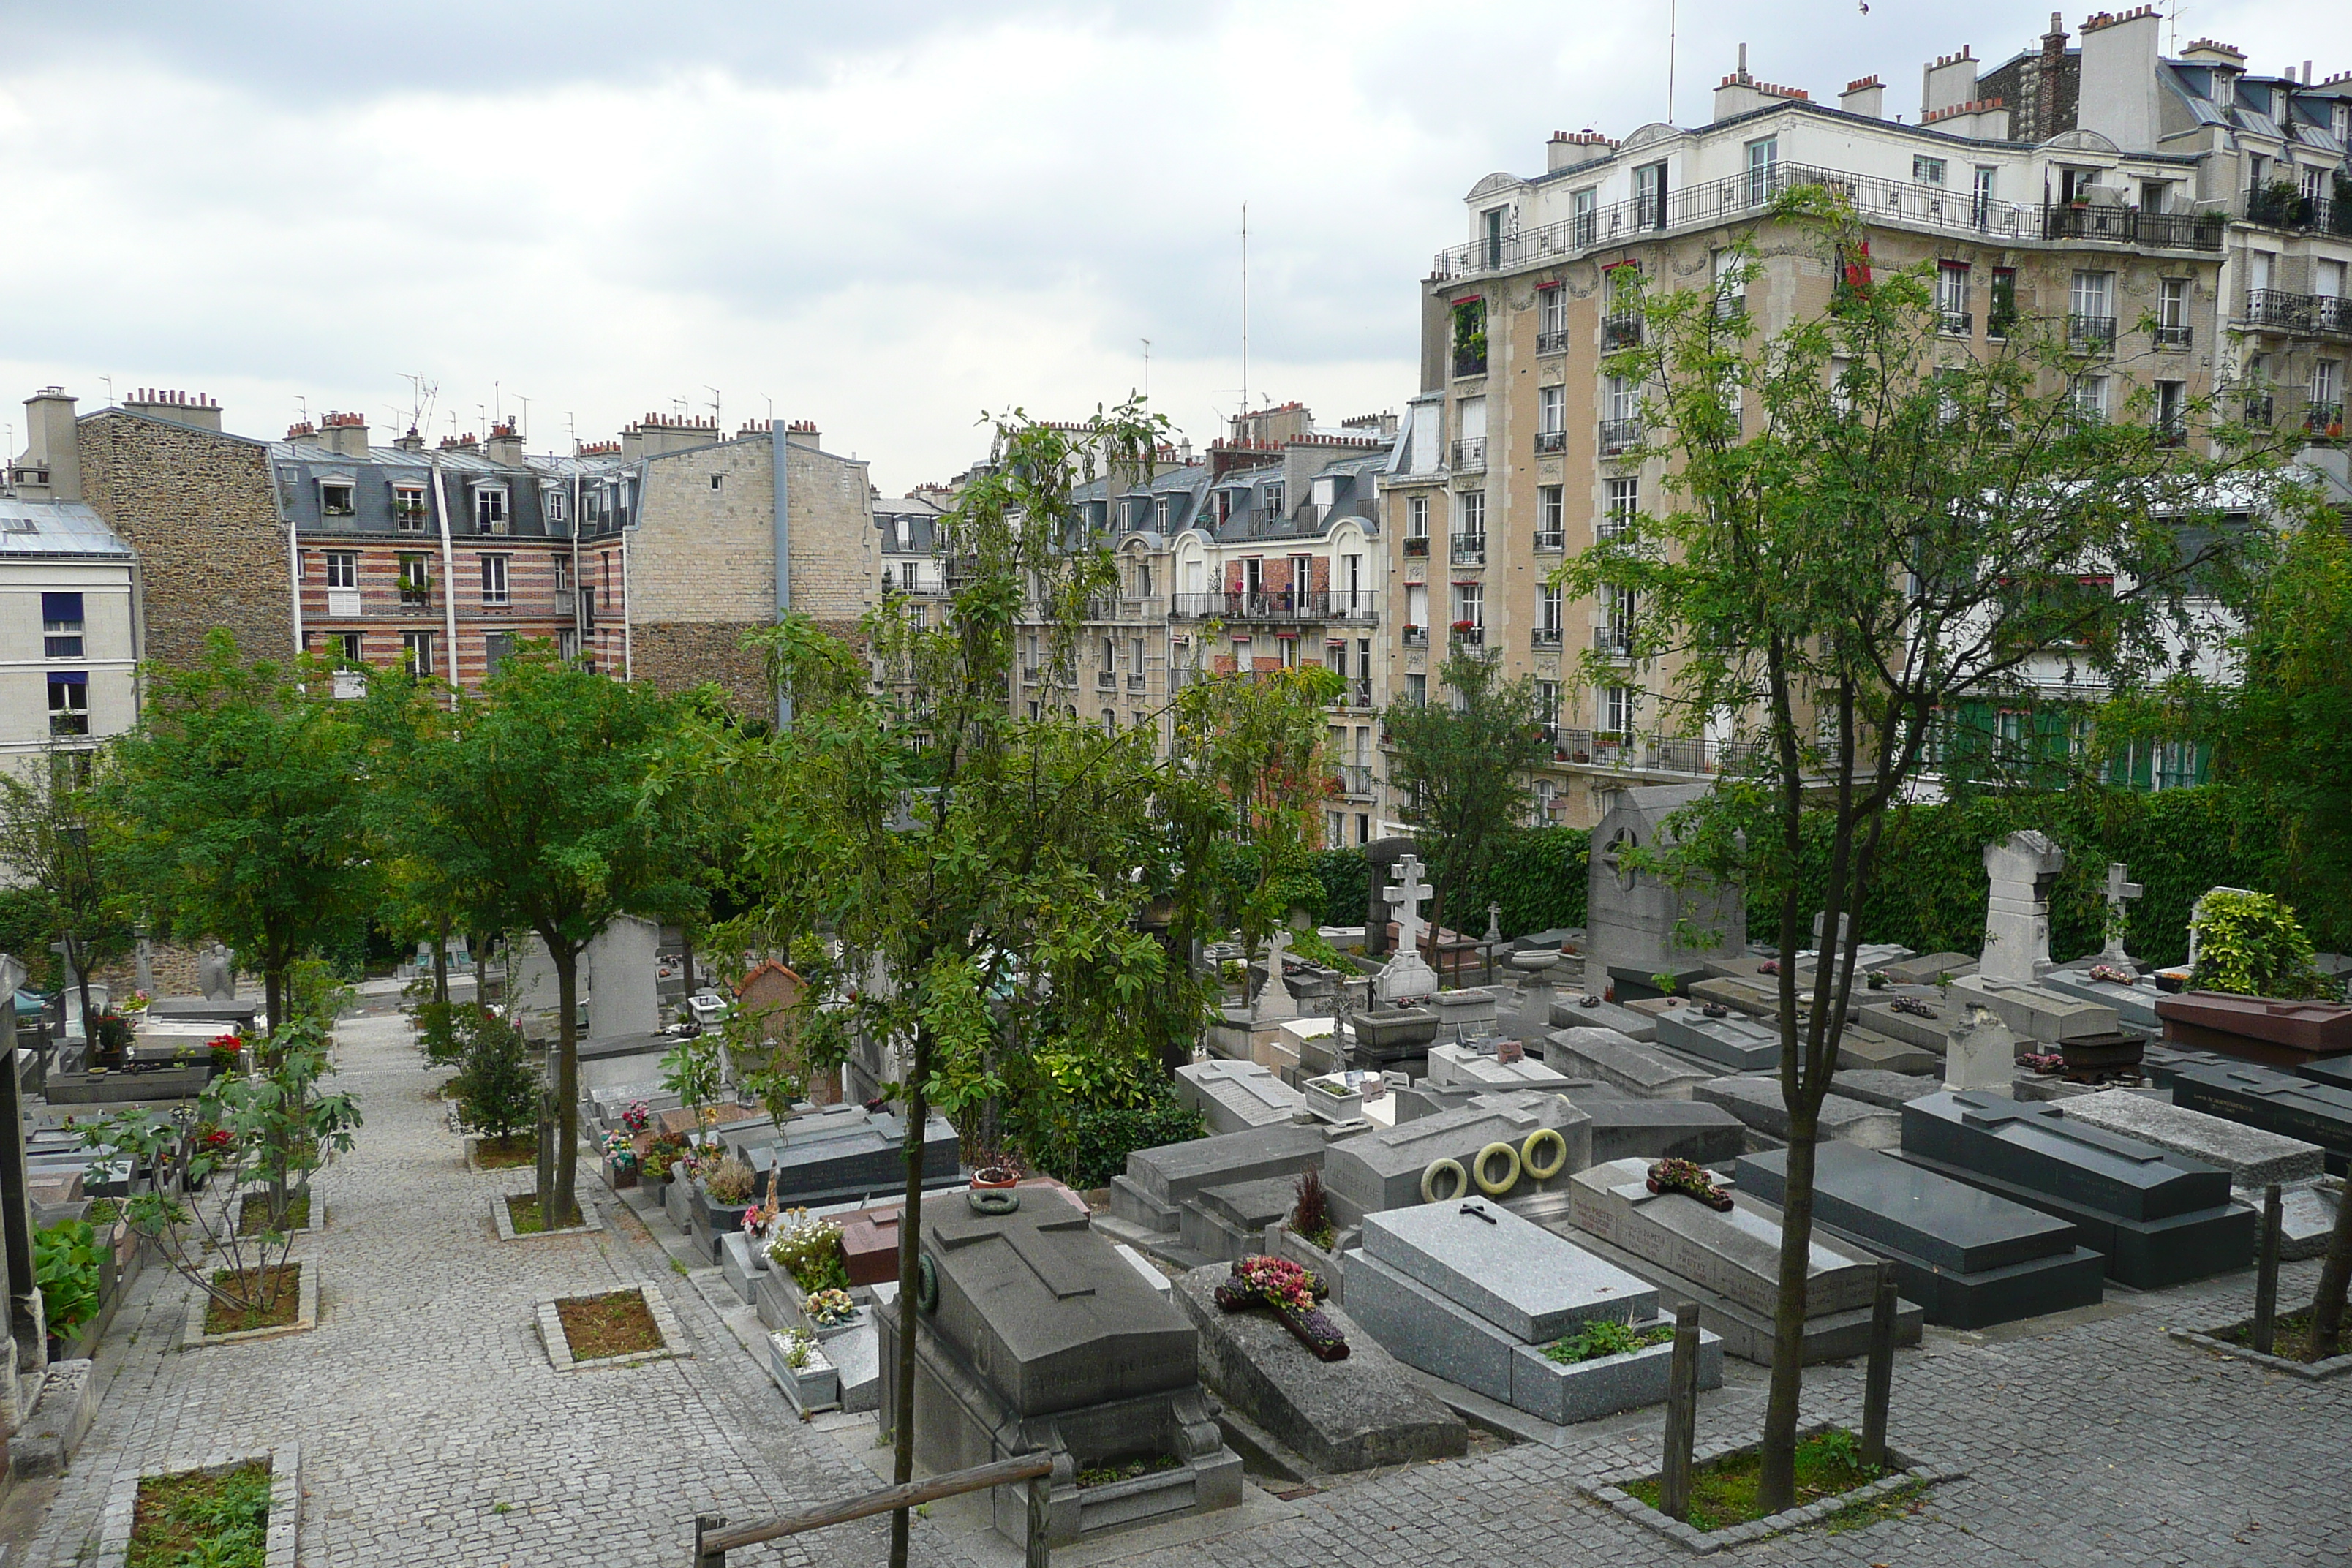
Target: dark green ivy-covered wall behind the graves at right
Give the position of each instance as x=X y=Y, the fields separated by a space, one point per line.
x=1932 y=887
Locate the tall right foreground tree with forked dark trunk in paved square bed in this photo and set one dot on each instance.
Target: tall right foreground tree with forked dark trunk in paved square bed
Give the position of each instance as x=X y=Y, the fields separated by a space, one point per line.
x=1864 y=532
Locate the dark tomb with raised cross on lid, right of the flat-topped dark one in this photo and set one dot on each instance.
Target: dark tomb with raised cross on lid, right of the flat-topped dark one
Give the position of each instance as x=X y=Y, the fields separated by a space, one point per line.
x=2160 y=1219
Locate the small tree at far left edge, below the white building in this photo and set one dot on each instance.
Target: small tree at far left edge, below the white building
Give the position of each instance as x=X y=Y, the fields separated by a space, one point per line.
x=53 y=845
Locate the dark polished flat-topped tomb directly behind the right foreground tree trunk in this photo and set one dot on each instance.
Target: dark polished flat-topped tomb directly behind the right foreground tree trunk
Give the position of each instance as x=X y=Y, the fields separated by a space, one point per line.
x=1967 y=1257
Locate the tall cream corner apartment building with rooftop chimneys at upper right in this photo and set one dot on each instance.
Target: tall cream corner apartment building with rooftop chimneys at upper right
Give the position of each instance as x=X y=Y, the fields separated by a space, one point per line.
x=2149 y=192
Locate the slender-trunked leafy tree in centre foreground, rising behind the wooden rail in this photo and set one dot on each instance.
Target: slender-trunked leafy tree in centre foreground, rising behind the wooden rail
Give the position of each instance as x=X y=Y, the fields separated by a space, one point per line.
x=984 y=873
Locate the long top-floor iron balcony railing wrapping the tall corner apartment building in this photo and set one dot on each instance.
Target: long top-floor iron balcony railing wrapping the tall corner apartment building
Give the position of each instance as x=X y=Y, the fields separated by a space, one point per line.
x=1876 y=201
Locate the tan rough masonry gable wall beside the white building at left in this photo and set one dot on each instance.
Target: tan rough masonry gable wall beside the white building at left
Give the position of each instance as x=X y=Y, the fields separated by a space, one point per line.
x=199 y=511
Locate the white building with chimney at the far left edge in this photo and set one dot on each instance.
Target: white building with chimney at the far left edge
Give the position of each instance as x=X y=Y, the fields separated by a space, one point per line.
x=69 y=636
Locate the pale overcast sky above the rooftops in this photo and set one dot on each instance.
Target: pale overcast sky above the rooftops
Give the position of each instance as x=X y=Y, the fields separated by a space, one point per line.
x=883 y=217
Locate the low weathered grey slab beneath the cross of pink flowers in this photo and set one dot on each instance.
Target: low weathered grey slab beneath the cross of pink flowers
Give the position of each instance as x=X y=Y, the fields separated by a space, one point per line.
x=1337 y=1416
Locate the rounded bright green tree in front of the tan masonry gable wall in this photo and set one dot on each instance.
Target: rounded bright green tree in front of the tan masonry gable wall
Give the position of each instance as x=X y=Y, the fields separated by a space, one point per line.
x=241 y=810
